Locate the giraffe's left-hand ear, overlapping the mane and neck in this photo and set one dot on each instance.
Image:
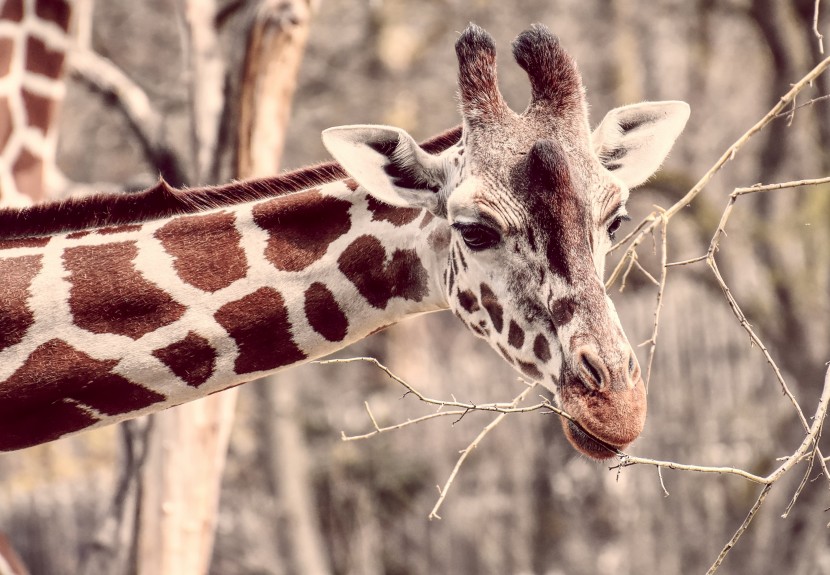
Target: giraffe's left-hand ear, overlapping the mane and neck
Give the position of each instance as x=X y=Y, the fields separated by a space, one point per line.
x=389 y=164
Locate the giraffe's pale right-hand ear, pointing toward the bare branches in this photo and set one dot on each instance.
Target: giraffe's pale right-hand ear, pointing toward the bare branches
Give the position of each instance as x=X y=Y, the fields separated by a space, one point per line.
x=633 y=141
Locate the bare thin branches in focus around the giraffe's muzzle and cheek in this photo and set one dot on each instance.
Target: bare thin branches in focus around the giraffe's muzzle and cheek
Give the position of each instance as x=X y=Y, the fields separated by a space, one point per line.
x=655 y=222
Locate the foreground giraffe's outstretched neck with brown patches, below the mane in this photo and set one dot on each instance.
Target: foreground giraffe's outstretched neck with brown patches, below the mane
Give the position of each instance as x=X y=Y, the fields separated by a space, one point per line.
x=109 y=323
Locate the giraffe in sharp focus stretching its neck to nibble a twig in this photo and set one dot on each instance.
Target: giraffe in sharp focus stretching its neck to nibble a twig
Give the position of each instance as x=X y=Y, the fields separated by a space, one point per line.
x=117 y=306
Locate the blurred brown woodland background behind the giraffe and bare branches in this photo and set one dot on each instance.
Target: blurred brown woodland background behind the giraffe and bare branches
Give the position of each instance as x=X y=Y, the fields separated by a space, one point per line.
x=296 y=499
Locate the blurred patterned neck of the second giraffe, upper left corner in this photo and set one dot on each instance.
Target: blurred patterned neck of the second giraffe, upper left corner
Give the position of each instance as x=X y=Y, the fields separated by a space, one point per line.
x=33 y=43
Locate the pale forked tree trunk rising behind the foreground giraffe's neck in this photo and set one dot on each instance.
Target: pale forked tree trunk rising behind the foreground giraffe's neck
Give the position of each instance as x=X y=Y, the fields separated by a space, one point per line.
x=182 y=478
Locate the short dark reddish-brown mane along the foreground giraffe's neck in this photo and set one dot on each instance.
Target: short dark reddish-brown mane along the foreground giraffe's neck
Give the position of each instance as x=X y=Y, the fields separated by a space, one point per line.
x=163 y=201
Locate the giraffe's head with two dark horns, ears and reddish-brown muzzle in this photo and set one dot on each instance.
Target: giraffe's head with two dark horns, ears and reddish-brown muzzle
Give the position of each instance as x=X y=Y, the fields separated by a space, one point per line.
x=532 y=201
